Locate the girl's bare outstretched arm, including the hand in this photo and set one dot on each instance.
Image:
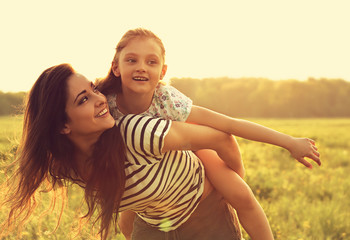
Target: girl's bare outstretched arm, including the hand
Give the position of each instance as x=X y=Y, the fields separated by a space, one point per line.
x=298 y=147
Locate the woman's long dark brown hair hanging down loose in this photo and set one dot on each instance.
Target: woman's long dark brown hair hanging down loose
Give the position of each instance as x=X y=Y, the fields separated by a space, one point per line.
x=46 y=155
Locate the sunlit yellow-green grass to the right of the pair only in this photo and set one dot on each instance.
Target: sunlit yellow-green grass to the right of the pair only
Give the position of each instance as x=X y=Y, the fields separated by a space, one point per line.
x=302 y=203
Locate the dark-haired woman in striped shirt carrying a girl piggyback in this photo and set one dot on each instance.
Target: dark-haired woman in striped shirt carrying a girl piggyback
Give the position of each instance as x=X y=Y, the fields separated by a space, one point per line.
x=69 y=136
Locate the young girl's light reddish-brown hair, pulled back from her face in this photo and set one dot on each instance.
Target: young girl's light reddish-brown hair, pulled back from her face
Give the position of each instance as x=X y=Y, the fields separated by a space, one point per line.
x=111 y=83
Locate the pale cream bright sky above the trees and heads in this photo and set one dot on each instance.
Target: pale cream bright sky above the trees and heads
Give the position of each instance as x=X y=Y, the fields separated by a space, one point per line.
x=276 y=39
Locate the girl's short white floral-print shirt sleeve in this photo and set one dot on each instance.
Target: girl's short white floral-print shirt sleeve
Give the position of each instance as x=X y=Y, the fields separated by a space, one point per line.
x=170 y=103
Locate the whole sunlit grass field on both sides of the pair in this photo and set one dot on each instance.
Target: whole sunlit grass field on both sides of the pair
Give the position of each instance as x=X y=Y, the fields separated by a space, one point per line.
x=301 y=204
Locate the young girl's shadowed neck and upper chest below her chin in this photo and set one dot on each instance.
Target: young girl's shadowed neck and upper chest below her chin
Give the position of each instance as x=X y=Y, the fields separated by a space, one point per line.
x=133 y=103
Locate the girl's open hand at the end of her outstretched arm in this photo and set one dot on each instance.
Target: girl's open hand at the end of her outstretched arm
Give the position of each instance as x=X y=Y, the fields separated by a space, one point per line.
x=304 y=147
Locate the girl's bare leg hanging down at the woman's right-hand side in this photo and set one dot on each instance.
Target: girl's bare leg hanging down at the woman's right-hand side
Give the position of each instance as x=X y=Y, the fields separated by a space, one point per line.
x=238 y=194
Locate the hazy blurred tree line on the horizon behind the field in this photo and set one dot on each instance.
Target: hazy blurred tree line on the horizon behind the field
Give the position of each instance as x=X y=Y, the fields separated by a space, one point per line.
x=249 y=97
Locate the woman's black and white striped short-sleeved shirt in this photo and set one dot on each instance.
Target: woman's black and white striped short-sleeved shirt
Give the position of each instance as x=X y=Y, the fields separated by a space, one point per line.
x=163 y=188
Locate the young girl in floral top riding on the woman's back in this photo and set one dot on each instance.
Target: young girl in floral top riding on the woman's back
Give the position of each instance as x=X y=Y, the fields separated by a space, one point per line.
x=133 y=85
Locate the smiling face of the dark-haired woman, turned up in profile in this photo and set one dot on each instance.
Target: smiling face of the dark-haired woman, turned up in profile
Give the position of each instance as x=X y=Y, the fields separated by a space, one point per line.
x=86 y=108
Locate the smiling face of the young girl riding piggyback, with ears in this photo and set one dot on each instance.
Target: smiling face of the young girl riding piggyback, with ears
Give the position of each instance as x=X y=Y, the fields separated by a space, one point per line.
x=140 y=66
